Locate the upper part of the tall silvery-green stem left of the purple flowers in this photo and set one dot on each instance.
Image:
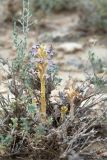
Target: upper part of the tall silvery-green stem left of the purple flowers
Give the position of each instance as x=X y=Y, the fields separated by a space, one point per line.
x=20 y=35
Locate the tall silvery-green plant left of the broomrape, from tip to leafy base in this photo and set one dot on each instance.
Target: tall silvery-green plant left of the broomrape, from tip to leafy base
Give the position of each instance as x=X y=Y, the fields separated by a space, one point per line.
x=18 y=121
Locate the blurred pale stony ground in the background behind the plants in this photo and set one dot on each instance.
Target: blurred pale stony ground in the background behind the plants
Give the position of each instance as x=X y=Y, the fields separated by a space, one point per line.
x=71 y=46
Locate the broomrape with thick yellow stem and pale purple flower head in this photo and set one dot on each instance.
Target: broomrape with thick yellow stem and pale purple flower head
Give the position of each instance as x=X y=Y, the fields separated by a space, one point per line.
x=43 y=60
